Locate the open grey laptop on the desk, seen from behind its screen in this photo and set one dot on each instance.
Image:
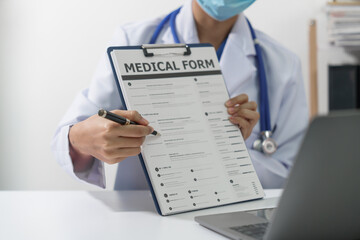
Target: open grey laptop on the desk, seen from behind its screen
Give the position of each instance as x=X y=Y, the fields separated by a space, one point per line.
x=321 y=199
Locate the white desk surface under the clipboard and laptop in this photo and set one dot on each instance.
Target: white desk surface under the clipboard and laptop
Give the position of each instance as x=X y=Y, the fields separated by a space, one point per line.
x=106 y=215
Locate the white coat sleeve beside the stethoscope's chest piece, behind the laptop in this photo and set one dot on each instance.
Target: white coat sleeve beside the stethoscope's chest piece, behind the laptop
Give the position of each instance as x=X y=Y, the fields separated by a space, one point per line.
x=291 y=122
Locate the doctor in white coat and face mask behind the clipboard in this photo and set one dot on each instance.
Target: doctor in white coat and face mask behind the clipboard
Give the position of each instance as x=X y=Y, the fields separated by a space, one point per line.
x=84 y=141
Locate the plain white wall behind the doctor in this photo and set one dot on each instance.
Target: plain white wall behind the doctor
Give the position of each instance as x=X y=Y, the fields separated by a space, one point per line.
x=48 y=52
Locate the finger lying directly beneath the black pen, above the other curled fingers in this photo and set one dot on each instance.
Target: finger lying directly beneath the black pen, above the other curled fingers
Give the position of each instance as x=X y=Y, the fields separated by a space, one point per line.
x=116 y=130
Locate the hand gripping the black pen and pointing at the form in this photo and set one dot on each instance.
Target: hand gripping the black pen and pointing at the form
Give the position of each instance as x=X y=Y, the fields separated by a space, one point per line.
x=109 y=141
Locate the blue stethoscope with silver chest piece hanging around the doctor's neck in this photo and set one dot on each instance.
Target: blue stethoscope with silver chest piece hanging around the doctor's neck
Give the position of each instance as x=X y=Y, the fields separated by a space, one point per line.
x=265 y=143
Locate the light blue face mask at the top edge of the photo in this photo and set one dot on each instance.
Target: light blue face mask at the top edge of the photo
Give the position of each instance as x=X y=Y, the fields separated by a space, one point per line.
x=224 y=9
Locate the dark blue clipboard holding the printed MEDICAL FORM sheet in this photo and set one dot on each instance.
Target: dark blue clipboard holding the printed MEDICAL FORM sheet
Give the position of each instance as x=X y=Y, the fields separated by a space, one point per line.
x=200 y=160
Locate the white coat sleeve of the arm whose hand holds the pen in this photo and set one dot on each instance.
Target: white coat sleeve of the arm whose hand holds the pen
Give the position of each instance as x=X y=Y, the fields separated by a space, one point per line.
x=102 y=93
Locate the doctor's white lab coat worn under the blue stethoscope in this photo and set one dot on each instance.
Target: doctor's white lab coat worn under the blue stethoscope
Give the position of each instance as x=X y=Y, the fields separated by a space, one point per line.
x=287 y=100
